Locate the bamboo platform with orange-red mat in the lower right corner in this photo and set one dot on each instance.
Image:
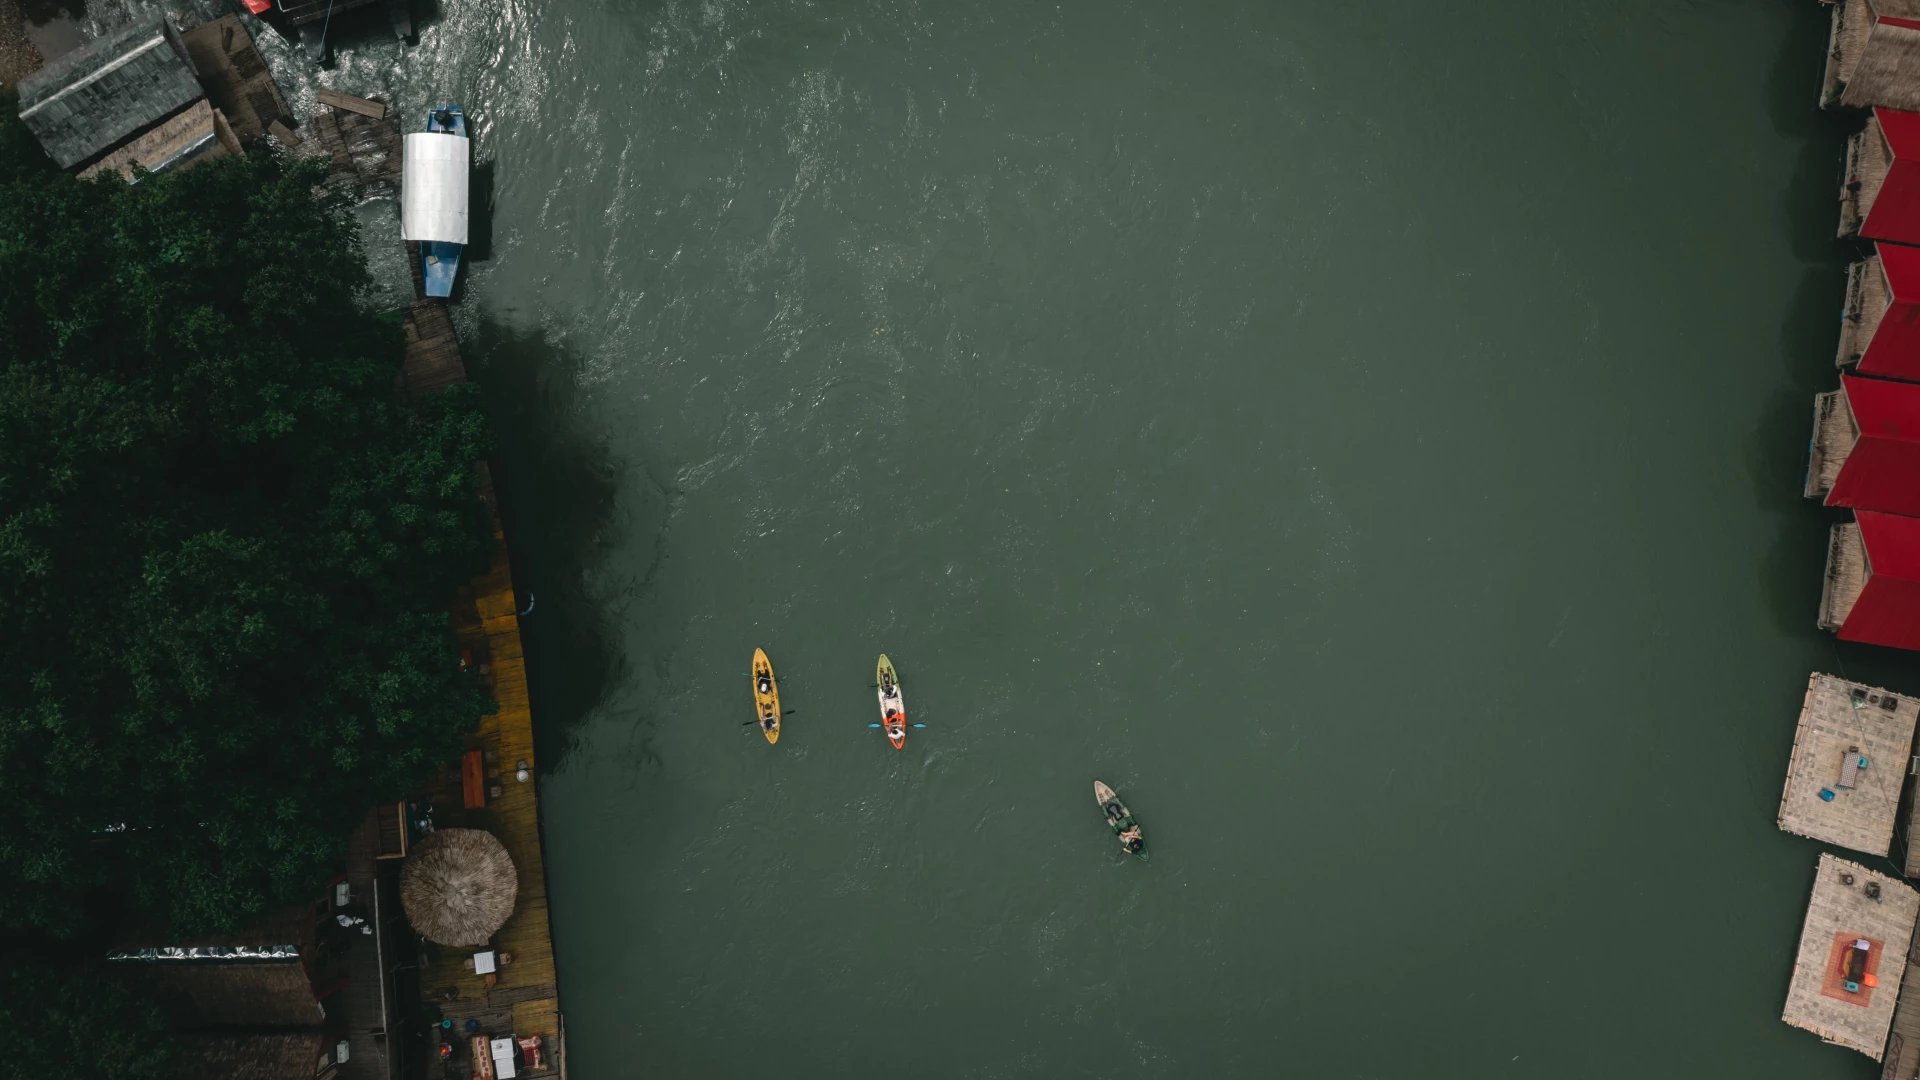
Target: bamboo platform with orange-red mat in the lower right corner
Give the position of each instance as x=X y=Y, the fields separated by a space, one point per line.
x=1852 y=956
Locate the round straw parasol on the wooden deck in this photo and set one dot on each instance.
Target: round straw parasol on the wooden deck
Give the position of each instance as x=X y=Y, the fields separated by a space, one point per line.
x=458 y=887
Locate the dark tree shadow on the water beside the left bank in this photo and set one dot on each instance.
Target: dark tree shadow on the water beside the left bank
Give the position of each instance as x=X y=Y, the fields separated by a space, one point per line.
x=558 y=491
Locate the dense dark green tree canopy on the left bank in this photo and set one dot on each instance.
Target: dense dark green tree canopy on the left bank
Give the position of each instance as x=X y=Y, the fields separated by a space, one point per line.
x=228 y=543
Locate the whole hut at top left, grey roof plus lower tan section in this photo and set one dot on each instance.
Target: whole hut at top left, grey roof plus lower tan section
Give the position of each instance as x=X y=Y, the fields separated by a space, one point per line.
x=124 y=99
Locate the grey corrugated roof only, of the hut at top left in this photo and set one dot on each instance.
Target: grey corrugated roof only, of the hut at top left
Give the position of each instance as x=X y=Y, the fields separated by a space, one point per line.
x=95 y=97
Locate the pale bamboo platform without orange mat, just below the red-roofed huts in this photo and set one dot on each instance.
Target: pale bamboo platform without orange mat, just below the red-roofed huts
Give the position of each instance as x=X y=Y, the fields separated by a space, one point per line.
x=1844 y=722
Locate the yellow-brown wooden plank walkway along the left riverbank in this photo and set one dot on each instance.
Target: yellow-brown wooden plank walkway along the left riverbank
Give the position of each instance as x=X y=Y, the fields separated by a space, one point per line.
x=525 y=998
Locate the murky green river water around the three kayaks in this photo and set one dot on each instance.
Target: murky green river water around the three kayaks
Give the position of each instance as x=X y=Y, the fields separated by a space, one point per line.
x=1370 y=437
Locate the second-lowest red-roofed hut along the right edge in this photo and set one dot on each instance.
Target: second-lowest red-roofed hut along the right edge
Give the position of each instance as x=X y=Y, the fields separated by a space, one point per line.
x=1865 y=447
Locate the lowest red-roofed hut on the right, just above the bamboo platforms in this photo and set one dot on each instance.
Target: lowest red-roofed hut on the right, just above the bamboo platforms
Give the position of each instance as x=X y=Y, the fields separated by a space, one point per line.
x=1873 y=581
